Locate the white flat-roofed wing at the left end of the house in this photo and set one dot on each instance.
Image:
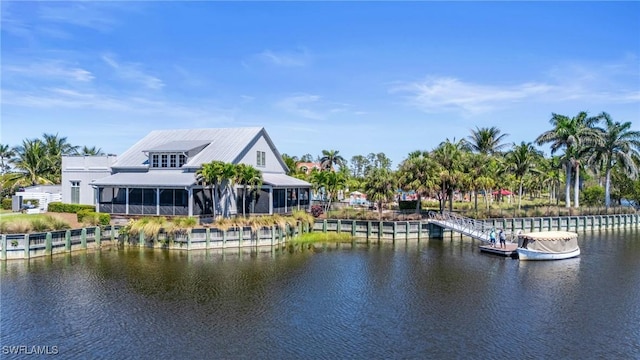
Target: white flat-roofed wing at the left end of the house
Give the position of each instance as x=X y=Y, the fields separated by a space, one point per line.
x=84 y=169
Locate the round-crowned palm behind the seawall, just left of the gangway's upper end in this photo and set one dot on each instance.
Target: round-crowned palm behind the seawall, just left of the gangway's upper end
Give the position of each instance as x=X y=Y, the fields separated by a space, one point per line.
x=418 y=173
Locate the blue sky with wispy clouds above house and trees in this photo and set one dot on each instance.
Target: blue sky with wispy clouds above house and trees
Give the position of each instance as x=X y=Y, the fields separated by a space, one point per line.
x=357 y=77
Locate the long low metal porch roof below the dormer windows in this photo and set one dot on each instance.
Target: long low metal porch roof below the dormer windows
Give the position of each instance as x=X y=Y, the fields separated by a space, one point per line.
x=153 y=178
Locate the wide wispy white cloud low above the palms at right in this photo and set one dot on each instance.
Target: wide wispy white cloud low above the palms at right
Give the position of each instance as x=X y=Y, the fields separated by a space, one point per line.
x=604 y=83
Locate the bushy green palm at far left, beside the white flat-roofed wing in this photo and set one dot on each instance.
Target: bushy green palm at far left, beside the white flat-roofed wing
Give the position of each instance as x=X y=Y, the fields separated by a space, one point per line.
x=33 y=164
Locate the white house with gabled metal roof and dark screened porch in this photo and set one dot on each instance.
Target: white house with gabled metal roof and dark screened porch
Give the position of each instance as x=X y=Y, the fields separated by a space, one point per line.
x=157 y=175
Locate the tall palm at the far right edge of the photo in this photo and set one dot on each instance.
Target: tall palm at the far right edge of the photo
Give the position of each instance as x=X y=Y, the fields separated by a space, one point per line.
x=619 y=147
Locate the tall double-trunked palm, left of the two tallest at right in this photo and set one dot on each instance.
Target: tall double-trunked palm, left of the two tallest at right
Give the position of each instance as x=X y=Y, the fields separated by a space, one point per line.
x=577 y=136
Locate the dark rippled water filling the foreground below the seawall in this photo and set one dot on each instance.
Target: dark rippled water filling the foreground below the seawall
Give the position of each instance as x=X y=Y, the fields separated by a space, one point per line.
x=436 y=299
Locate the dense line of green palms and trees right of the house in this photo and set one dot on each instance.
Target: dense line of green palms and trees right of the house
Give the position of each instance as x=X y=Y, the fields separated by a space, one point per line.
x=588 y=153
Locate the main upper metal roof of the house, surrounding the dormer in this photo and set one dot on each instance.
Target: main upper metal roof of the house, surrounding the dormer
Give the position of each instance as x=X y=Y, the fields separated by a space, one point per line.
x=224 y=145
